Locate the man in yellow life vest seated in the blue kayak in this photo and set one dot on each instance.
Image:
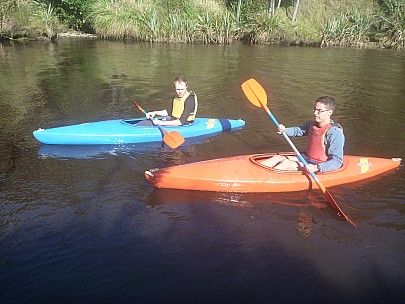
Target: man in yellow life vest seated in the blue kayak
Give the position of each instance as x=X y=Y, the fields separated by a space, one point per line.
x=183 y=109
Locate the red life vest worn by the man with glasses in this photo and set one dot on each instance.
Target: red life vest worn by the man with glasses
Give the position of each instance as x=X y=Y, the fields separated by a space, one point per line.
x=316 y=142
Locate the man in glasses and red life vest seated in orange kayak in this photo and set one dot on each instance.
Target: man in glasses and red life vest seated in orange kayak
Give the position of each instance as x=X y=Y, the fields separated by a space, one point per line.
x=325 y=141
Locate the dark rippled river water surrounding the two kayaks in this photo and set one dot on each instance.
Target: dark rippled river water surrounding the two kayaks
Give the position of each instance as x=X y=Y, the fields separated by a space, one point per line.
x=82 y=224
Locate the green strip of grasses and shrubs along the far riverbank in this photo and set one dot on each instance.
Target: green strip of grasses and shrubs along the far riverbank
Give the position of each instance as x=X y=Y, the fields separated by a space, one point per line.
x=354 y=23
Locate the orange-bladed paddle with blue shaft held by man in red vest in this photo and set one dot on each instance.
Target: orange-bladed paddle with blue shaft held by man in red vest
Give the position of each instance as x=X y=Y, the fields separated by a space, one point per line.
x=257 y=96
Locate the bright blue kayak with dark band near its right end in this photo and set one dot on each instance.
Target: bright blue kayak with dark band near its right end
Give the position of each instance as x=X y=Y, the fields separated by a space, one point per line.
x=125 y=131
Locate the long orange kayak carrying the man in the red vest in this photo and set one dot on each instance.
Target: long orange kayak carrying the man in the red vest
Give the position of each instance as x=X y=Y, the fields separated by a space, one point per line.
x=247 y=174
